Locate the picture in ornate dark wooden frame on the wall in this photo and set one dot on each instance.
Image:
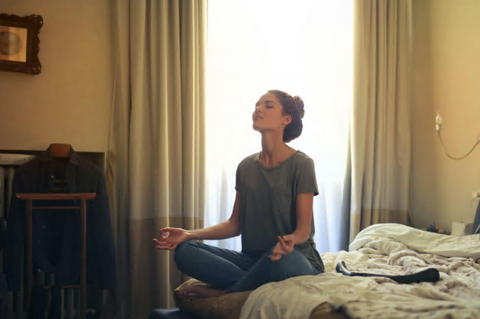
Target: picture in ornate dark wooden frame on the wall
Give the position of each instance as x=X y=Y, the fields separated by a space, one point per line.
x=19 y=43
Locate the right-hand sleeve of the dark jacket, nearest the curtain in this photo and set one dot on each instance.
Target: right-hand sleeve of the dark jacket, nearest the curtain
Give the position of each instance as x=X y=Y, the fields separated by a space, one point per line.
x=101 y=229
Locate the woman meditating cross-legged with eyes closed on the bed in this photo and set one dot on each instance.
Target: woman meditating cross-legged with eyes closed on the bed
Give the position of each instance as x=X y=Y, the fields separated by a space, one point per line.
x=272 y=212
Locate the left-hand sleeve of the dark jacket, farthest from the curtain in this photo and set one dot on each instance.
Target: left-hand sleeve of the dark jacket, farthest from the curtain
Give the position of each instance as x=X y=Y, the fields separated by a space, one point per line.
x=15 y=238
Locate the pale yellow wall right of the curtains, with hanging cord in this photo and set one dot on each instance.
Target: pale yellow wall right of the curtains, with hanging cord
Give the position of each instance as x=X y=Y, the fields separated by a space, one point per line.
x=446 y=79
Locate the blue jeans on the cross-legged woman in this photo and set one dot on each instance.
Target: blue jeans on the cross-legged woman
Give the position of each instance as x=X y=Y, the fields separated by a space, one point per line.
x=234 y=271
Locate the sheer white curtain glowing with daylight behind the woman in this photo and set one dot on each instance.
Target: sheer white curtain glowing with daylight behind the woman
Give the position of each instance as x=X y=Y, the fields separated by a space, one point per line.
x=304 y=47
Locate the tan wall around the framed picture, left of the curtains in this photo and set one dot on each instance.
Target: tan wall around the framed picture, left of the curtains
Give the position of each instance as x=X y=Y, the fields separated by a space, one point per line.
x=69 y=102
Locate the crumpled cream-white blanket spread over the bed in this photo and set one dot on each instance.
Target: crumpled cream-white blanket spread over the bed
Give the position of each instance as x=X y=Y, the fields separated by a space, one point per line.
x=383 y=249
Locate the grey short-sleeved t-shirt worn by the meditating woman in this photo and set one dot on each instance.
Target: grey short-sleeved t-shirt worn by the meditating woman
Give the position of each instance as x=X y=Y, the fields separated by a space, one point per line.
x=268 y=202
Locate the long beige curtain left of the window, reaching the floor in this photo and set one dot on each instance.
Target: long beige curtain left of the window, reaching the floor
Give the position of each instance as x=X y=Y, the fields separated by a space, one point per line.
x=156 y=159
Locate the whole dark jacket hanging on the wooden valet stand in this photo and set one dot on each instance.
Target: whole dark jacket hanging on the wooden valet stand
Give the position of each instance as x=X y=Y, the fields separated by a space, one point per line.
x=56 y=233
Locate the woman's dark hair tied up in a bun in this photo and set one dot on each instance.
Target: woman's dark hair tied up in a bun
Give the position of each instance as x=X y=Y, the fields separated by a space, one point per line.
x=293 y=106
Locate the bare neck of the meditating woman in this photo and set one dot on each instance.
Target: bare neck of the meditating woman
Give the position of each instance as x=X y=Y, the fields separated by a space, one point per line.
x=274 y=150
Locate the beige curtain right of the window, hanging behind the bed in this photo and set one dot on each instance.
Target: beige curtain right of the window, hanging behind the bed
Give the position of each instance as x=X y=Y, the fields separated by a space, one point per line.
x=380 y=134
